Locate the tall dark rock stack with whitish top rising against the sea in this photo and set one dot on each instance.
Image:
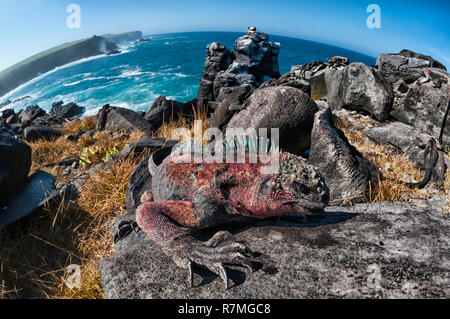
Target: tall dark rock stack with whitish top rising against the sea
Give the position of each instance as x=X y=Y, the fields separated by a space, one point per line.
x=253 y=61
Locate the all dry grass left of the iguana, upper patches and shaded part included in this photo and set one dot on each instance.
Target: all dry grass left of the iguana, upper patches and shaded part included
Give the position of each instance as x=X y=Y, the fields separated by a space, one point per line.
x=34 y=257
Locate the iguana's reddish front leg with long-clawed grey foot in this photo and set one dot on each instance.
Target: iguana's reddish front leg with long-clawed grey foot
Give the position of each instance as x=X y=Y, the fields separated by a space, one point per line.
x=156 y=219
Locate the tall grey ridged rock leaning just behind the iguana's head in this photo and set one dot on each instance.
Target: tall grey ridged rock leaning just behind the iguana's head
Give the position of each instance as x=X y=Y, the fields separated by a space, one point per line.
x=347 y=173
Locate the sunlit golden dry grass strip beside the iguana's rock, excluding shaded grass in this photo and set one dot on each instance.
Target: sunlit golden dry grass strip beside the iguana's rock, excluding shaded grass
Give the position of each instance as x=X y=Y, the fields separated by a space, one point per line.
x=103 y=199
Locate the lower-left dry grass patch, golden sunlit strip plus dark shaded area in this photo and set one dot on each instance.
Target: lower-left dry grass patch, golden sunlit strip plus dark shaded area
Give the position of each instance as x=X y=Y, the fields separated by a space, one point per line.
x=34 y=261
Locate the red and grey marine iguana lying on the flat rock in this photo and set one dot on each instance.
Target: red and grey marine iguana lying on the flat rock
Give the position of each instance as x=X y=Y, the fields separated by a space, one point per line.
x=197 y=196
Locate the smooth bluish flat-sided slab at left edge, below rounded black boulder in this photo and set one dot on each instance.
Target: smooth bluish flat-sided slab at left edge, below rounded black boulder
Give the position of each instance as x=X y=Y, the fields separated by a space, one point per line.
x=28 y=198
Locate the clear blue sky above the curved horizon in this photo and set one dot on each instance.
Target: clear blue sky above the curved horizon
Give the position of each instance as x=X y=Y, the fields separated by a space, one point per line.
x=30 y=26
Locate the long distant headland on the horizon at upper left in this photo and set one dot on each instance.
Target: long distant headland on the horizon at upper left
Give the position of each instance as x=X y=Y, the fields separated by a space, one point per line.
x=28 y=69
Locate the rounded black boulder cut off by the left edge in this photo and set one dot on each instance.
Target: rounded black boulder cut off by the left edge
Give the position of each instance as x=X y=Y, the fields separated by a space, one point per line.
x=15 y=162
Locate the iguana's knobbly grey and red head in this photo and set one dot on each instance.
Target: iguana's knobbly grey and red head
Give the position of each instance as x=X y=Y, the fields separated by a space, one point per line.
x=297 y=187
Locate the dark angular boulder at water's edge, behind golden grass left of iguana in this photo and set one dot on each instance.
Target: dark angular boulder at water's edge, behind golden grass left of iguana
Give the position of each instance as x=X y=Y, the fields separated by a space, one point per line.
x=113 y=118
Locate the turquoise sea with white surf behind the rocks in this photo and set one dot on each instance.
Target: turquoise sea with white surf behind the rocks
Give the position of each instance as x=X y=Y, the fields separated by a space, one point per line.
x=170 y=65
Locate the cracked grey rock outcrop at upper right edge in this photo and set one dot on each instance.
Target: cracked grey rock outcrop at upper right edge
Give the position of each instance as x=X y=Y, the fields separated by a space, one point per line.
x=422 y=94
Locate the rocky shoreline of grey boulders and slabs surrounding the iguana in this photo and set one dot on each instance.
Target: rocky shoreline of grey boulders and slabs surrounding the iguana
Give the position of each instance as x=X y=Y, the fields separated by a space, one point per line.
x=400 y=104
